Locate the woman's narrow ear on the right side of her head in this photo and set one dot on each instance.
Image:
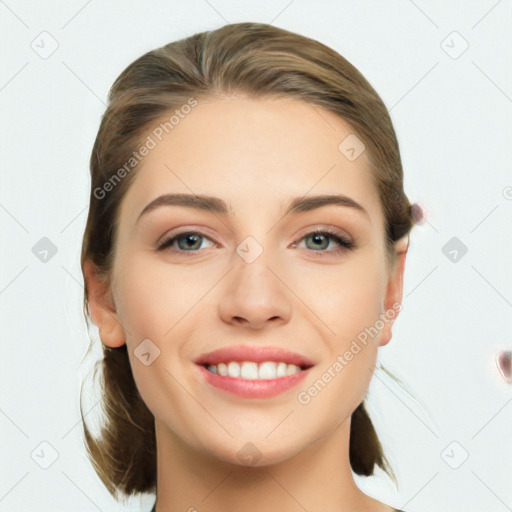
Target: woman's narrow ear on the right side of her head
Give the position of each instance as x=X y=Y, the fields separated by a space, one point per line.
x=393 y=300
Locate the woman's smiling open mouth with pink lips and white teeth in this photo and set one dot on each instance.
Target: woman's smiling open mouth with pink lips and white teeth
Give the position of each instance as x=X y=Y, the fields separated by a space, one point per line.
x=253 y=372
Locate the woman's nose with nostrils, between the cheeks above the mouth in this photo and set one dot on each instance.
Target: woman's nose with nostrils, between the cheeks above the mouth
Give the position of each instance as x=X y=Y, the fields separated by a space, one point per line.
x=255 y=295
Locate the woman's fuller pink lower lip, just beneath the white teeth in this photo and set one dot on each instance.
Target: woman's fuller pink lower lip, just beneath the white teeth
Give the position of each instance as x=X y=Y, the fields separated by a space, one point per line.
x=246 y=388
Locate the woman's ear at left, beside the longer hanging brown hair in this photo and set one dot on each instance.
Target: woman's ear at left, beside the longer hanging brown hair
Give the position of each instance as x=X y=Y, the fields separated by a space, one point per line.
x=102 y=308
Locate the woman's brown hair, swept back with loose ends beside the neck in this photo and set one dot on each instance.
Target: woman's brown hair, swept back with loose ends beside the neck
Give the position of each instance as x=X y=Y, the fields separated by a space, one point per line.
x=252 y=59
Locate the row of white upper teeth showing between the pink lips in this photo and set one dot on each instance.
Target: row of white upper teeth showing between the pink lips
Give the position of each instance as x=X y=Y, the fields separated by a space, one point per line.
x=252 y=371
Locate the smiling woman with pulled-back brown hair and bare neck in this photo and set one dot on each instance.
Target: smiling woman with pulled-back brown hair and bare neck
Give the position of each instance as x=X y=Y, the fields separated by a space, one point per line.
x=243 y=260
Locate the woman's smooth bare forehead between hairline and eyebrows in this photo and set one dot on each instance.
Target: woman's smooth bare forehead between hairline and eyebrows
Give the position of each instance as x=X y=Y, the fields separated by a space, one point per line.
x=253 y=153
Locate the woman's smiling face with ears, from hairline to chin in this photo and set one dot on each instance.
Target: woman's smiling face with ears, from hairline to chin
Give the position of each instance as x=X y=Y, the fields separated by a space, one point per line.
x=247 y=272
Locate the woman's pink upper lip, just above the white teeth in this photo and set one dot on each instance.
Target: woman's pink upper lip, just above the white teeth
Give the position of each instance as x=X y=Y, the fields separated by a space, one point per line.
x=241 y=353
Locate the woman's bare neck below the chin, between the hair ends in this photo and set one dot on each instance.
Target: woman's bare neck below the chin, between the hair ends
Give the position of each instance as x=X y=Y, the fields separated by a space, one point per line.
x=317 y=478
